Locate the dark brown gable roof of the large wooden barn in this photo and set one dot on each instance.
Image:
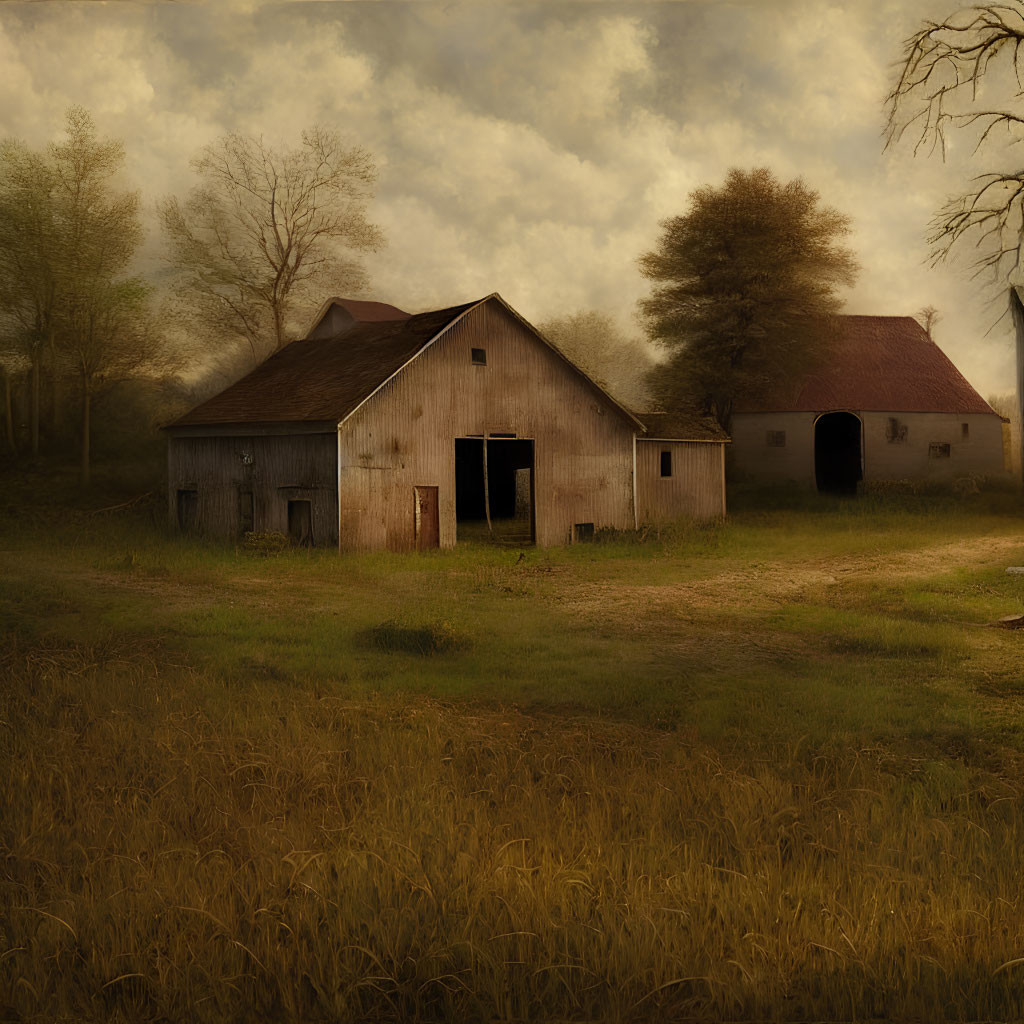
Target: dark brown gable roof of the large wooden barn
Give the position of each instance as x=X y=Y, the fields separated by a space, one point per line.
x=328 y=379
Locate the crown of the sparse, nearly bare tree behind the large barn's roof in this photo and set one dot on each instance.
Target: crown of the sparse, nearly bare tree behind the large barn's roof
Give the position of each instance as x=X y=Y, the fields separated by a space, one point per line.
x=265 y=226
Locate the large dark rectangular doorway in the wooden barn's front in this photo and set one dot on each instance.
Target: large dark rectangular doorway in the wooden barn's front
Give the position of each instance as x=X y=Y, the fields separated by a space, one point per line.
x=497 y=505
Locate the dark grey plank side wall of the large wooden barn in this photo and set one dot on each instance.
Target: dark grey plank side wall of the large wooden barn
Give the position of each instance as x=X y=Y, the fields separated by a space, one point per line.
x=283 y=467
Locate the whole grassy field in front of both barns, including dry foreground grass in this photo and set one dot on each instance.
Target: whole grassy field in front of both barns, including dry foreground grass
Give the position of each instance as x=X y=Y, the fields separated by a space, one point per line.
x=771 y=770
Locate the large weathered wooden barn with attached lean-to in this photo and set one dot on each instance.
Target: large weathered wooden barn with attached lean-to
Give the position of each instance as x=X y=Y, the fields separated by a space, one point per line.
x=388 y=431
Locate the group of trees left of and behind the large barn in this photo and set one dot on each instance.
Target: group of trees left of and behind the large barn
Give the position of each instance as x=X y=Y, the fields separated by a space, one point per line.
x=94 y=356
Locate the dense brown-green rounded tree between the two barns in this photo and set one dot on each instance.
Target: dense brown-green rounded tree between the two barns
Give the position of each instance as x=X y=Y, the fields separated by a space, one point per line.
x=744 y=282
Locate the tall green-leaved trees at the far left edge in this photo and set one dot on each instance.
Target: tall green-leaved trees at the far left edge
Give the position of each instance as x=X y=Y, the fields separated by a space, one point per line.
x=68 y=238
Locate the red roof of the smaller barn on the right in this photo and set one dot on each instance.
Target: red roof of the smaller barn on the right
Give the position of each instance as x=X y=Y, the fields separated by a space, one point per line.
x=875 y=364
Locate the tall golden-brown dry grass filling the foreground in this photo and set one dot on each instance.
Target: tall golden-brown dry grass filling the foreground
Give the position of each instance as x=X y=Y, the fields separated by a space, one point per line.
x=174 y=850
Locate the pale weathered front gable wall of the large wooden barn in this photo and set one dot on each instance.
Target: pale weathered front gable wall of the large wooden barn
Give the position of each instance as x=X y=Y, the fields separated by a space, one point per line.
x=404 y=437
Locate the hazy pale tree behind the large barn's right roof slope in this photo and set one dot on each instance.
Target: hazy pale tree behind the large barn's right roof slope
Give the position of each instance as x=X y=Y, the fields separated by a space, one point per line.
x=595 y=345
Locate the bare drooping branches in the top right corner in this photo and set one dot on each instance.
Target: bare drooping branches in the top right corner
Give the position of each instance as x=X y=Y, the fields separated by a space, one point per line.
x=938 y=89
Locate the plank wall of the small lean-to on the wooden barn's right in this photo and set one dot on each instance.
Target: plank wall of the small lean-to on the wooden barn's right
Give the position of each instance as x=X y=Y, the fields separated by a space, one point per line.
x=696 y=489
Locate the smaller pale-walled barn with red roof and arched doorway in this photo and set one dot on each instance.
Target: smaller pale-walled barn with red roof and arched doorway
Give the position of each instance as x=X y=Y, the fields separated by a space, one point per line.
x=886 y=404
